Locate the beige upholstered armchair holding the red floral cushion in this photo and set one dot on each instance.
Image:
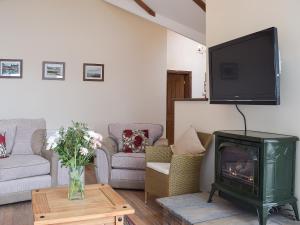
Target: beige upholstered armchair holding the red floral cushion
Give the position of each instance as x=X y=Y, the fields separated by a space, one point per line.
x=120 y=169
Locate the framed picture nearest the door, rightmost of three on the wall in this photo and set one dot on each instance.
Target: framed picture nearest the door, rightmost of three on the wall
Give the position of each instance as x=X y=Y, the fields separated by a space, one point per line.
x=93 y=72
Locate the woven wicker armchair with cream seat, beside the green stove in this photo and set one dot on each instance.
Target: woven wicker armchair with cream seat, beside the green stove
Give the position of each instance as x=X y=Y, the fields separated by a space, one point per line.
x=179 y=174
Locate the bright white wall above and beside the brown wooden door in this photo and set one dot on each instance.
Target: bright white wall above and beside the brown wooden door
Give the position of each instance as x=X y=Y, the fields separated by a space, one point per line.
x=183 y=54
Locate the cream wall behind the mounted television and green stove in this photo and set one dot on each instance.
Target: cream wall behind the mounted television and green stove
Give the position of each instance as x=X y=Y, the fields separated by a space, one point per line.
x=233 y=18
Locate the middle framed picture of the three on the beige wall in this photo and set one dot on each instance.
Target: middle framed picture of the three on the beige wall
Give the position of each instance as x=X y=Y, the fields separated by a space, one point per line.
x=53 y=70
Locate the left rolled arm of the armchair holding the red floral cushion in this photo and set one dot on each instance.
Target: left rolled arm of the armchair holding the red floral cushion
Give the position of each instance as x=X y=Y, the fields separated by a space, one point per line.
x=102 y=160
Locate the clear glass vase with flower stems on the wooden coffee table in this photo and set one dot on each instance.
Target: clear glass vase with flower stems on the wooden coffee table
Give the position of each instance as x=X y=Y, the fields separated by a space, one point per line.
x=76 y=183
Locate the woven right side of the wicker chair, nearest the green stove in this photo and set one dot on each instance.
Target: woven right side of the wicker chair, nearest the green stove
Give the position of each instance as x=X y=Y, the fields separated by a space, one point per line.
x=185 y=174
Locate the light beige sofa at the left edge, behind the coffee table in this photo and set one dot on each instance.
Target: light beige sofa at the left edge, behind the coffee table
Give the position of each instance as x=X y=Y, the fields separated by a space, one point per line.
x=29 y=166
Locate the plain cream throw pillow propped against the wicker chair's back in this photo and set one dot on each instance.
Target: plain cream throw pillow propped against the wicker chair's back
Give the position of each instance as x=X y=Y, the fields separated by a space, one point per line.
x=188 y=143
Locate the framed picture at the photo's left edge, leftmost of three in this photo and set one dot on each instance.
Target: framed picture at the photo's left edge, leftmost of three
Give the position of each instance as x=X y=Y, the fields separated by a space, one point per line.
x=11 y=68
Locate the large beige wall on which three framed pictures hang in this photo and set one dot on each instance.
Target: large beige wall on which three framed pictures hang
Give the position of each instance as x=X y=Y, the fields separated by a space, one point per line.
x=78 y=31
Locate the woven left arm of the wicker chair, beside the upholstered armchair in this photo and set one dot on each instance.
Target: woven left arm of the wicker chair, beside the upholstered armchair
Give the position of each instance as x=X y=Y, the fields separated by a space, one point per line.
x=158 y=154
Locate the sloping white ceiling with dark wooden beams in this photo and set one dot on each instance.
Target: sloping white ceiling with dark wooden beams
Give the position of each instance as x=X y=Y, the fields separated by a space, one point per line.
x=182 y=16
